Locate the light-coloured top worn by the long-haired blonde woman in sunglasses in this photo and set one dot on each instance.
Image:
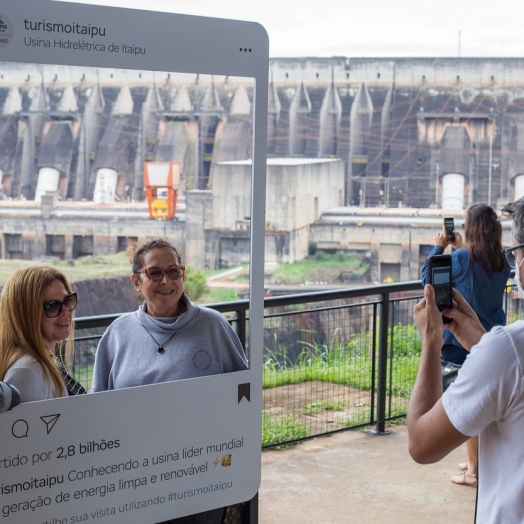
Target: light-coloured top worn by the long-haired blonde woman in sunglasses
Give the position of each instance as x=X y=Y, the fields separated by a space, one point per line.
x=28 y=376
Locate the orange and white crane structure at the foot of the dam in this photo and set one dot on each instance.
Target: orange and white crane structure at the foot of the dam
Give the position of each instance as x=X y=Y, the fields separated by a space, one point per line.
x=162 y=182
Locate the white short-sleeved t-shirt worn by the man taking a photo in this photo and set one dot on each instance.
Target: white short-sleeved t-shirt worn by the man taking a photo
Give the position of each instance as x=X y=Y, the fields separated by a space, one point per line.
x=487 y=399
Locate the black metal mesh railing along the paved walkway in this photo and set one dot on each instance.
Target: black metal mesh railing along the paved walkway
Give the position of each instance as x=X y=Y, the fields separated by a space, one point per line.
x=333 y=360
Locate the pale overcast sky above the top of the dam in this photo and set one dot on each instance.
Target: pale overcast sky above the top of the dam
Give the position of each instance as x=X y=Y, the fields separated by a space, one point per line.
x=368 y=27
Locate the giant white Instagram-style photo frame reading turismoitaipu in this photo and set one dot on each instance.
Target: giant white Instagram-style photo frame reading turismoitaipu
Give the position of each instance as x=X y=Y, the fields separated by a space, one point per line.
x=146 y=454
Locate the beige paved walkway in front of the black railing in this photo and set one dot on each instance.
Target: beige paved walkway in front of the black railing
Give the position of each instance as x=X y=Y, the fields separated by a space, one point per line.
x=354 y=477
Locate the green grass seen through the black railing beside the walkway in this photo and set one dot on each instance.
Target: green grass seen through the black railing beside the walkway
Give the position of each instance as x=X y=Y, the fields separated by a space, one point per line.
x=350 y=364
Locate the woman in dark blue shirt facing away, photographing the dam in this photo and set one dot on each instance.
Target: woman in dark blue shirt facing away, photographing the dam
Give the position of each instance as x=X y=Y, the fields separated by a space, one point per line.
x=480 y=273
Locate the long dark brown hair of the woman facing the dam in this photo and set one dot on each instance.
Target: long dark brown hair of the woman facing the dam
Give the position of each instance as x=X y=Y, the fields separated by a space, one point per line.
x=484 y=237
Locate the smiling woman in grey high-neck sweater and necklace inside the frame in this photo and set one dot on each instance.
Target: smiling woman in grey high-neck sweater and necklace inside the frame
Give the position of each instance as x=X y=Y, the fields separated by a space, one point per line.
x=168 y=338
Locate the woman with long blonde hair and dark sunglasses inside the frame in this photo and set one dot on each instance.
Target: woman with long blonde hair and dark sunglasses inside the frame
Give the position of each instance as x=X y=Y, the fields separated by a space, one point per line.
x=36 y=333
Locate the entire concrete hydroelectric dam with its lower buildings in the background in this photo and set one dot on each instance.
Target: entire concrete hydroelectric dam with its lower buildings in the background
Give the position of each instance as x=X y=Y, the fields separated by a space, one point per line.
x=408 y=138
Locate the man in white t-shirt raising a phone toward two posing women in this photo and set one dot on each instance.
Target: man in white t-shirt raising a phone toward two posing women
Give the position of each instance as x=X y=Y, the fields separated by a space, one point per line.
x=487 y=399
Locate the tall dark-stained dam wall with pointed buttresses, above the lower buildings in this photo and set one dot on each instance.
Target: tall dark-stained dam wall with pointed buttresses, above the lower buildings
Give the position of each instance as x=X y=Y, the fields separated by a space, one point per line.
x=400 y=126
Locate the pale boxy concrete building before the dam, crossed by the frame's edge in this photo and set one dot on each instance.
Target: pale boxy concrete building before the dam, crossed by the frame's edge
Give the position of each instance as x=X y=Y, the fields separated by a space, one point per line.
x=298 y=191
